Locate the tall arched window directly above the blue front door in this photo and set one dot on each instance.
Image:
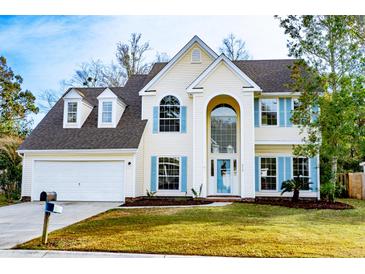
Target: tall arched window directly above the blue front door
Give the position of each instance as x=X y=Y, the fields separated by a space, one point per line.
x=223 y=129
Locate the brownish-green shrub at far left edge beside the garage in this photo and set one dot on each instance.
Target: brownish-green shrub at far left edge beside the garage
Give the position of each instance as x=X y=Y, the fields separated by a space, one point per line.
x=10 y=170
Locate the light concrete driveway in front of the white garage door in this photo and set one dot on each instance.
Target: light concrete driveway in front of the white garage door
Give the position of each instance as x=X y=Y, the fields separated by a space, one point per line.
x=23 y=222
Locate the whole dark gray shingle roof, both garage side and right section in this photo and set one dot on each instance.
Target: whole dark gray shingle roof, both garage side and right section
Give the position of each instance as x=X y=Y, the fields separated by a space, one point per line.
x=270 y=75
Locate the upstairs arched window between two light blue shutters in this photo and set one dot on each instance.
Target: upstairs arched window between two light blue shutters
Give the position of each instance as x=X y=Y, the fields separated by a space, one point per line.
x=169 y=114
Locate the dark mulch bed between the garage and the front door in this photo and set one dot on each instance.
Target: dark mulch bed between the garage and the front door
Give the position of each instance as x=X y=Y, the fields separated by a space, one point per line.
x=165 y=202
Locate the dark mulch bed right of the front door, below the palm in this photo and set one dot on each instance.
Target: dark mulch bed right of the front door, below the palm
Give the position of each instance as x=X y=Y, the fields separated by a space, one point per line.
x=306 y=204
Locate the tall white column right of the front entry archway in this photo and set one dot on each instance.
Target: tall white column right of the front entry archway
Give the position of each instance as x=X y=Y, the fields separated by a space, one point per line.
x=247 y=146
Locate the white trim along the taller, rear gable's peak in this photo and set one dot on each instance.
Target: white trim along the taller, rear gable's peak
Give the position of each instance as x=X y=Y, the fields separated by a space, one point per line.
x=173 y=61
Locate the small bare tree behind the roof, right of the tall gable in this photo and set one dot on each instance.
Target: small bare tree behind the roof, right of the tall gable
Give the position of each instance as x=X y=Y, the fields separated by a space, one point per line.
x=234 y=48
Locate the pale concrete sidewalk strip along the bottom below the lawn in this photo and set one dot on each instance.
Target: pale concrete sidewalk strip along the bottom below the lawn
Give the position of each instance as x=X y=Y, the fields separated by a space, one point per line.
x=77 y=254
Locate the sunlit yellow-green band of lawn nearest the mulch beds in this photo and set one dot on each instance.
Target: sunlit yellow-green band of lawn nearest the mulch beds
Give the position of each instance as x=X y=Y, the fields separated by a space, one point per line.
x=232 y=215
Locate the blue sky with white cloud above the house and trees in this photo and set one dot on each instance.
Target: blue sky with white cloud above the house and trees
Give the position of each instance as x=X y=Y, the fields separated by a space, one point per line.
x=46 y=49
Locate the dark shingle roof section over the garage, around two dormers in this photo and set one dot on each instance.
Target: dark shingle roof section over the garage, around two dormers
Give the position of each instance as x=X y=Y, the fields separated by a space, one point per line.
x=50 y=134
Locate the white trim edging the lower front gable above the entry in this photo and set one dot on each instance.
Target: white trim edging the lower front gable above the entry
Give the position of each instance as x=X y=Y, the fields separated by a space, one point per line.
x=222 y=58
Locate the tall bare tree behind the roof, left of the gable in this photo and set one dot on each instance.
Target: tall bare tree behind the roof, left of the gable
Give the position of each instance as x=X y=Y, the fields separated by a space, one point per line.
x=131 y=55
